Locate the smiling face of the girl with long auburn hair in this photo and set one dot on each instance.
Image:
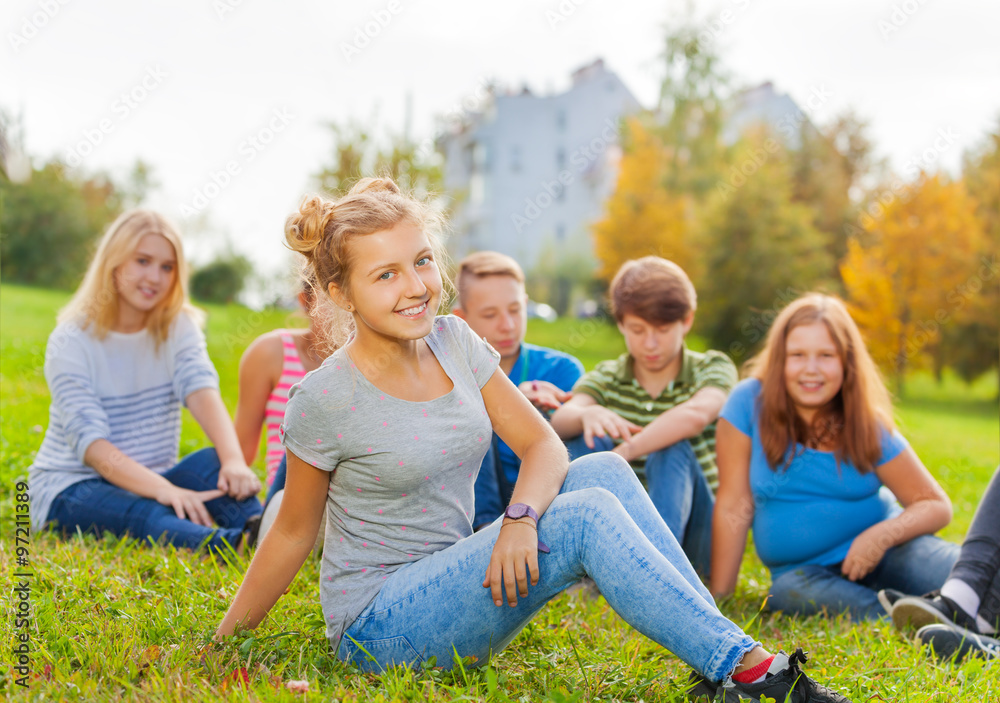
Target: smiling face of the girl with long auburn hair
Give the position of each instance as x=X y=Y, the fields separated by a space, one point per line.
x=814 y=372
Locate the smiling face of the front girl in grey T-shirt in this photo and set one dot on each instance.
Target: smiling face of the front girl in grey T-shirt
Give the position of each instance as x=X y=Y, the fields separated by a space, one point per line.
x=395 y=284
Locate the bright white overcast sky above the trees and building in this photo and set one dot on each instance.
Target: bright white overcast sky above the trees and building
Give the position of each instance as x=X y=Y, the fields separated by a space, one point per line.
x=194 y=86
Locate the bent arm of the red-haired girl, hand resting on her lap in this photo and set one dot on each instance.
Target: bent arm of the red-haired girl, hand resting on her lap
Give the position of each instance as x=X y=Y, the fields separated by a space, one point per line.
x=926 y=509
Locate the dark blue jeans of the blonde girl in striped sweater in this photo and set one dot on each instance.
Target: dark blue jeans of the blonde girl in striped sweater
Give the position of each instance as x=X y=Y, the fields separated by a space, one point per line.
x=96 y=505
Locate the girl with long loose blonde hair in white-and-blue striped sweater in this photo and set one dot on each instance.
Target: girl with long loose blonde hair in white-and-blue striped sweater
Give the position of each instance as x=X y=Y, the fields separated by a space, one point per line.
x=126 y=354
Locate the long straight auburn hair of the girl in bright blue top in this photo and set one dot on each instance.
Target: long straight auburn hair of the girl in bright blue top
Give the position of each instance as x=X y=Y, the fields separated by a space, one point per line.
x=856 y=417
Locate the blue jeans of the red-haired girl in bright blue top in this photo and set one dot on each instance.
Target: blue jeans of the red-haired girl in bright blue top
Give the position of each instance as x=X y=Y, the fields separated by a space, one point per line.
x=915 y=567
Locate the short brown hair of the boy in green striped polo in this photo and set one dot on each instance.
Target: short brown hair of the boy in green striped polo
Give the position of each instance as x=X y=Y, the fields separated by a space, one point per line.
x=654 y=289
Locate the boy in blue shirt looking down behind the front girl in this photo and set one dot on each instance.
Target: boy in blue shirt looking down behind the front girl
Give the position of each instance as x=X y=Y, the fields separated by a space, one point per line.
x=493 y=301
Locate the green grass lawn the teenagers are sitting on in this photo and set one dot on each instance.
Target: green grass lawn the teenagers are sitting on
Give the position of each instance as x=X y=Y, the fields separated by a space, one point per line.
x=119 y=620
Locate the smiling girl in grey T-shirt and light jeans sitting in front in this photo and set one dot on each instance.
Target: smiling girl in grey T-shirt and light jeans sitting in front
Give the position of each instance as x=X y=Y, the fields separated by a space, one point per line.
x=386 y=438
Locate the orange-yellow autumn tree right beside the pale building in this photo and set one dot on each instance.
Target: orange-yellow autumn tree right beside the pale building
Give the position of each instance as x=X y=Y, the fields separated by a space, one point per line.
x=641 y=217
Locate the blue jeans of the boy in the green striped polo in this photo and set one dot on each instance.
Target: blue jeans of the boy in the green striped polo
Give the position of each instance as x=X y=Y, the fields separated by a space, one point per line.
x=680 y=492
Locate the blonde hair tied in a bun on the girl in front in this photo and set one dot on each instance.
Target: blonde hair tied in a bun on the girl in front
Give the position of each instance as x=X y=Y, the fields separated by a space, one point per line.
x=322 y=228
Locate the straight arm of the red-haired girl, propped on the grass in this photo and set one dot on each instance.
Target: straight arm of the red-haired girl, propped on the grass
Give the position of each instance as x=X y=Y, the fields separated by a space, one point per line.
x=734 y=507
